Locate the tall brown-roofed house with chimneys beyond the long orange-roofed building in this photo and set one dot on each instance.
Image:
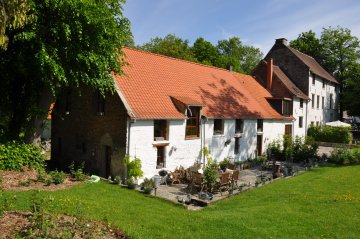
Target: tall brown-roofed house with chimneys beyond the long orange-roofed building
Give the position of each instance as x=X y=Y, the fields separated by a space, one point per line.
x=302 y=86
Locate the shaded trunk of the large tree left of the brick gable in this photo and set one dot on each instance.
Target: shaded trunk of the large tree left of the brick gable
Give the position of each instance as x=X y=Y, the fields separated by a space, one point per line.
x=37 y=125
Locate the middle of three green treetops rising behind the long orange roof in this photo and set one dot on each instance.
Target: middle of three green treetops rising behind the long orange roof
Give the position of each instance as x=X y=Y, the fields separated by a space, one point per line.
x=205 y=52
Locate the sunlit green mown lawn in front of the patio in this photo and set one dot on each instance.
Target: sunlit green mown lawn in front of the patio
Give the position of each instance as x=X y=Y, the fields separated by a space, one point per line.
x=322 y=203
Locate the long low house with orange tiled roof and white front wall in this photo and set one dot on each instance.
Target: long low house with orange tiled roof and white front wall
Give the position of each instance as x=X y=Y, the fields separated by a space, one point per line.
x=165 y=111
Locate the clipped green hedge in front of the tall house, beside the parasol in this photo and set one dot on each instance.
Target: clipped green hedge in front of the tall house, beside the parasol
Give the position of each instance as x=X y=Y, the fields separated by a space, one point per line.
x=330 y=134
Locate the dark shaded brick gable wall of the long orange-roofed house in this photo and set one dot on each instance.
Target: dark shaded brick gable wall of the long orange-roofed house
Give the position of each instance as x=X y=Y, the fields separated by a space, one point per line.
x=84 y=135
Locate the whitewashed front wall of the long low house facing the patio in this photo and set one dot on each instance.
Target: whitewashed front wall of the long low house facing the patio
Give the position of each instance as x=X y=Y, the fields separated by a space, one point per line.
x=185 y=152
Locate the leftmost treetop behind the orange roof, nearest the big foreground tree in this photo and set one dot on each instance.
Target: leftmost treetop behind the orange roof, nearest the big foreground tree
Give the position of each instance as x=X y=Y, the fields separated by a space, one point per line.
x=170 y=45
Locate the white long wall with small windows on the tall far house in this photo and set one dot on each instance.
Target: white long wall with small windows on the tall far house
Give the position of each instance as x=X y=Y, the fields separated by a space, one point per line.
x=318 y=114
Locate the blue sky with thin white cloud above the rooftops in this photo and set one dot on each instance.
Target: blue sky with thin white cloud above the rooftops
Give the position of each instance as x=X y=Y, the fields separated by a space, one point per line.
x=257 y=22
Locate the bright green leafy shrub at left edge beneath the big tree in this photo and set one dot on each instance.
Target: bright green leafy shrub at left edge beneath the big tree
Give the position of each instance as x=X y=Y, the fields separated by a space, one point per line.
x=15 y=156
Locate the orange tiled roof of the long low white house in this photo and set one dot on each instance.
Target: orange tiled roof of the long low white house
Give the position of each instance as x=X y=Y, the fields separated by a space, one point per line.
x=151 y=80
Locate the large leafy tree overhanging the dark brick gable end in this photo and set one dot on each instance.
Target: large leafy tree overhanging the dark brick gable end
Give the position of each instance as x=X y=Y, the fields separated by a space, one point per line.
x=68 y=43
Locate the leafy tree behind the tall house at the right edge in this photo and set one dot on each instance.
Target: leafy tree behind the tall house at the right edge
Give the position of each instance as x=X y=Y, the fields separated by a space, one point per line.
x=338 y=52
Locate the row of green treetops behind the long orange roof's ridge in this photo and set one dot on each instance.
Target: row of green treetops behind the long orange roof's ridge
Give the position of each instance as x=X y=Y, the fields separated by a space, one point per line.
x=229 y=52
